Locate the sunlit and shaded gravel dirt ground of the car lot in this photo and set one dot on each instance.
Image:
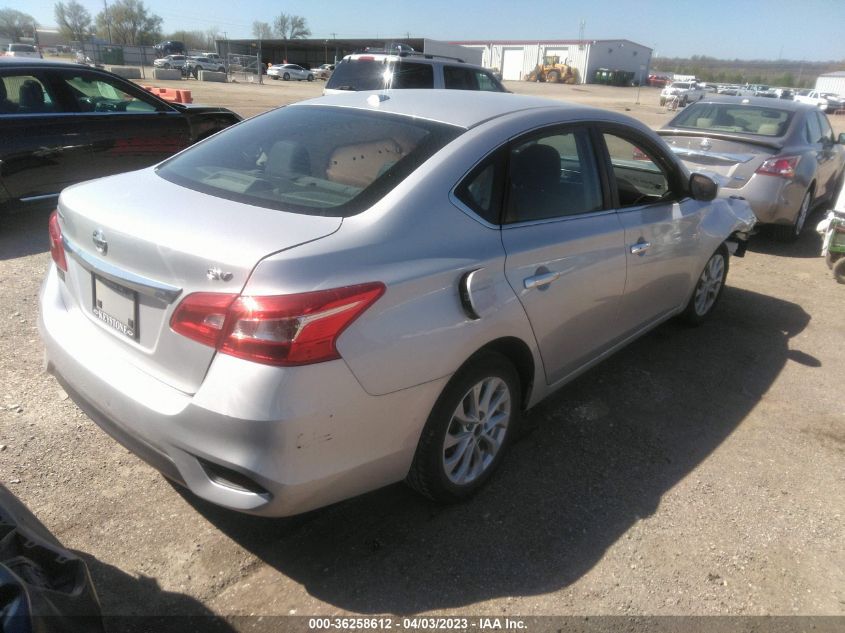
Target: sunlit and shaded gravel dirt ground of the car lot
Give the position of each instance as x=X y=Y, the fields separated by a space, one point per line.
x=698 y=472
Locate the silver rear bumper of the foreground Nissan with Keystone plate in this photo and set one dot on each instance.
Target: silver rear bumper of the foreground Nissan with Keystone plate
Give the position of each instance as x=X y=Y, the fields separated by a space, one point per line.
x=259 y=439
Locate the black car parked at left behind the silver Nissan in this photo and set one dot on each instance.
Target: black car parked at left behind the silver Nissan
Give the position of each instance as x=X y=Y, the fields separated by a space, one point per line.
x=64 y=123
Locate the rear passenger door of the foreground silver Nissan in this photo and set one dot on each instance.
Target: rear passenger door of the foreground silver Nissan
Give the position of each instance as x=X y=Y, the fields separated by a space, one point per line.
x=564 y=248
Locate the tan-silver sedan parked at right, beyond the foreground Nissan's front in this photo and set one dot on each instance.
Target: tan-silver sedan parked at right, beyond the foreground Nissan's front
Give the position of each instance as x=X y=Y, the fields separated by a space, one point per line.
x=781 y=156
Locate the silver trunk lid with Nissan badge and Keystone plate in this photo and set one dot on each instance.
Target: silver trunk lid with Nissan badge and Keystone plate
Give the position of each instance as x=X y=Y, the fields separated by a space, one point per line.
x=138 y=244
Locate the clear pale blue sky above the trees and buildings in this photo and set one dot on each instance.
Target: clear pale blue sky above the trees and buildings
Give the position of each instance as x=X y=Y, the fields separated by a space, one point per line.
x=748 y=29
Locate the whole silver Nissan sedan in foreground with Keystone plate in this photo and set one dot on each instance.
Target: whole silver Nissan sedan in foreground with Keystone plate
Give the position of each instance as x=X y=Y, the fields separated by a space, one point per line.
x=370 y=287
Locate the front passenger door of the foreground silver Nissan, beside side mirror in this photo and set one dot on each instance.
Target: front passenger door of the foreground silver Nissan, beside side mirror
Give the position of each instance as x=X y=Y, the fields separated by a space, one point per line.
x=661 y=227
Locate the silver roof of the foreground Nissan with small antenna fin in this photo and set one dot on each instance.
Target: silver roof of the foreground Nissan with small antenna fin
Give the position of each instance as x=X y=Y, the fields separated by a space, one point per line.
x=462 y=108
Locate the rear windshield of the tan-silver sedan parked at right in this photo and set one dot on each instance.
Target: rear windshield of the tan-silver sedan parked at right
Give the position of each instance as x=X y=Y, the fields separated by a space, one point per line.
x=734 y=118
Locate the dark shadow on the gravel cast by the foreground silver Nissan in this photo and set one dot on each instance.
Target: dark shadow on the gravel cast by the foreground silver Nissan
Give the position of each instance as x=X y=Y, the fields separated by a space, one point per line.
x=603 y=452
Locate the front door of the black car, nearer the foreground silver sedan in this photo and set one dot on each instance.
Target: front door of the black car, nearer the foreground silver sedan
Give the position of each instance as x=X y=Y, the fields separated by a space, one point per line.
x=128 y=128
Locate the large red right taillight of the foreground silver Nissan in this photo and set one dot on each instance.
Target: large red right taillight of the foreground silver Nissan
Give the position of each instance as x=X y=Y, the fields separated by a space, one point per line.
x=284 y=330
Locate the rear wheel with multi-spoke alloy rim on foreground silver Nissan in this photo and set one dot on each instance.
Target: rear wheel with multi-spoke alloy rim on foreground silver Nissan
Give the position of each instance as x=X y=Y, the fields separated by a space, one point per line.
x=468 y=430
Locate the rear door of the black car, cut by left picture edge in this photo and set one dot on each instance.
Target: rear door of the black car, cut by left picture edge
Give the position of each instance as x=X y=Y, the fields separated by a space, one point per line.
x=42 y=149
